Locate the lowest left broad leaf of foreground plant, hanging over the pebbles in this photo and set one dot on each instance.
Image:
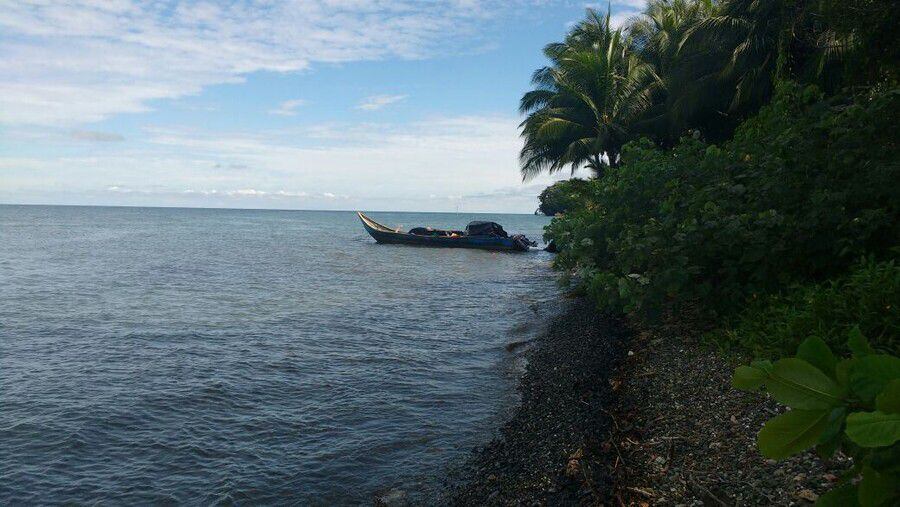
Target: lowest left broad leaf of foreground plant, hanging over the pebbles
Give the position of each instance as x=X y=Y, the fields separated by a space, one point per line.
x=791 y=432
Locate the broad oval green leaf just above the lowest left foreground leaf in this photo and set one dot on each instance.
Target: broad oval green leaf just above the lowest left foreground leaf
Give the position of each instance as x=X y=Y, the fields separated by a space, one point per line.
x=798 y=384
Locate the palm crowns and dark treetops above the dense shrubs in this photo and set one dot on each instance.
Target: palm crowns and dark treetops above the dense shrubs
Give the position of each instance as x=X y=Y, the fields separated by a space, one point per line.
x=692 y=66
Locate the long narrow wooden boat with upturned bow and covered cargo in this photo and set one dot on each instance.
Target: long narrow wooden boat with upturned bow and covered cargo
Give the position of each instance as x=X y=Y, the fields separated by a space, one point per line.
x=443 y=239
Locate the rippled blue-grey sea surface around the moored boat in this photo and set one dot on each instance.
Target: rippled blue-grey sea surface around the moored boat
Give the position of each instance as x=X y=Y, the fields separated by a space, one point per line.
x=199 y=356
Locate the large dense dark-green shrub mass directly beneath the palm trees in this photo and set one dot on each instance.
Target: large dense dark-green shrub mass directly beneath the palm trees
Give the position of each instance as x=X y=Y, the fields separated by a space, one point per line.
x=804 y=188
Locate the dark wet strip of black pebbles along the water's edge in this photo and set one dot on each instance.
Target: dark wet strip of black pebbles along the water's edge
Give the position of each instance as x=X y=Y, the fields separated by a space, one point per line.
x=550 y=451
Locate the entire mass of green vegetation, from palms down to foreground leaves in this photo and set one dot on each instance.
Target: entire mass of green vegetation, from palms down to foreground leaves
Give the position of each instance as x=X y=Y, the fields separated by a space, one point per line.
x=747 y=179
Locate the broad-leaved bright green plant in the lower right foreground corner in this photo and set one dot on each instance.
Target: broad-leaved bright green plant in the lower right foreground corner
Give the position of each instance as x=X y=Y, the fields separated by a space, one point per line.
x=848 y=404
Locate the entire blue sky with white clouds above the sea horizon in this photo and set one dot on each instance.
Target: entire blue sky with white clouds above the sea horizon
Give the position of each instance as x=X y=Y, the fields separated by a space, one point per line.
x=316 y=104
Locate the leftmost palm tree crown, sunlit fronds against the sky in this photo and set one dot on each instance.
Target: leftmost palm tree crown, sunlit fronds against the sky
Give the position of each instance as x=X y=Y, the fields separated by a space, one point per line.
x=581 y=110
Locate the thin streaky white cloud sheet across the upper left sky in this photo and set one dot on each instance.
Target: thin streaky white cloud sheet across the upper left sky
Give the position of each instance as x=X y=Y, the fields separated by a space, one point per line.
x=70 y=62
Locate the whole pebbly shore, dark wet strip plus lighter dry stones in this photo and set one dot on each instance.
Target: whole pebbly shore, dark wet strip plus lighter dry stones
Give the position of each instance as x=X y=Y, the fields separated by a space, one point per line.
x=611 y=417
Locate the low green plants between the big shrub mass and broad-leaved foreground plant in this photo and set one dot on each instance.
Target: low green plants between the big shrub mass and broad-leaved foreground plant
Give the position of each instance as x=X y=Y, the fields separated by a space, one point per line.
x=867 y=298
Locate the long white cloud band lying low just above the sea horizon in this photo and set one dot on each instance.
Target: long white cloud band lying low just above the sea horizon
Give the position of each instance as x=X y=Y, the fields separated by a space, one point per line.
x=370 y=166
